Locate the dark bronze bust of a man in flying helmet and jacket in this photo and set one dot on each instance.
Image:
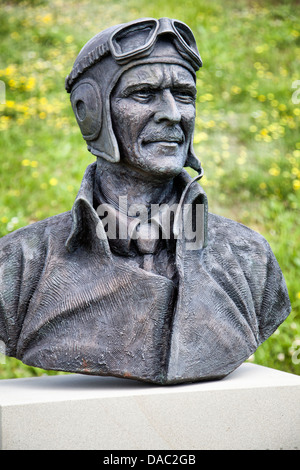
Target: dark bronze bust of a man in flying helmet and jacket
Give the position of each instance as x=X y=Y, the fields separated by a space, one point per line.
x=138 y=280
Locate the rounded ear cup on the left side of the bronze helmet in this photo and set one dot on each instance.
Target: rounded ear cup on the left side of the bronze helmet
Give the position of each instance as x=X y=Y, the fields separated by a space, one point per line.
x=87 y=106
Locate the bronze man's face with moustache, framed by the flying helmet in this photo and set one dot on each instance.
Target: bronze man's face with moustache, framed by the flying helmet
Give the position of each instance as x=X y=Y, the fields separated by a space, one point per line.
x=153 y=114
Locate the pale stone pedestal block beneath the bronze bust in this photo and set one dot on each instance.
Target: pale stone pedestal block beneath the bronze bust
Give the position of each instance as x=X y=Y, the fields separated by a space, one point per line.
x=253 y=408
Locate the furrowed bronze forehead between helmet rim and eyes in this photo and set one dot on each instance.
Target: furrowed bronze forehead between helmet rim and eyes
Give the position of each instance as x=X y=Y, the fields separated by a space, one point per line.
x=158 y=75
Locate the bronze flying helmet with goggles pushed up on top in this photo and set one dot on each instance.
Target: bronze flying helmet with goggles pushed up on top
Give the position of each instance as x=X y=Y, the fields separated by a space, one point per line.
x=106 y=57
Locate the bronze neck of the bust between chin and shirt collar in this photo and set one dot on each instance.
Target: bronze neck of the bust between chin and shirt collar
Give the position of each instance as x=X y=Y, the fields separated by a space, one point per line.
x=117 y=180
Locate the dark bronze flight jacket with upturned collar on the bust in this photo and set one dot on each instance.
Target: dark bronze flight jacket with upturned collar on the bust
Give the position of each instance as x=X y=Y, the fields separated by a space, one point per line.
x=68 y=302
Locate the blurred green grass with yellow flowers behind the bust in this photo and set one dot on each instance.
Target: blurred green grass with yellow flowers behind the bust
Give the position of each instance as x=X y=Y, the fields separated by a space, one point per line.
x=247 y=129
